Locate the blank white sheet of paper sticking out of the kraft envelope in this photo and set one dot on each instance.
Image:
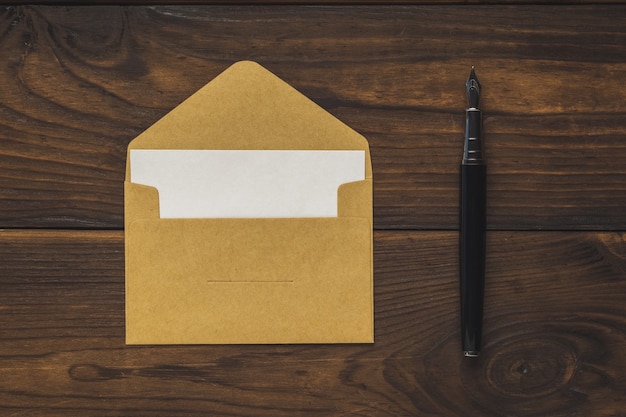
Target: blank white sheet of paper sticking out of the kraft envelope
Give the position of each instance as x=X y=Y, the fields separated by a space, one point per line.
x=246 y=183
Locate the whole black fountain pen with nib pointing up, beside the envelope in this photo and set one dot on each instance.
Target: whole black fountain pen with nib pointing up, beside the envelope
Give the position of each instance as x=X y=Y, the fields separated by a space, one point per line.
x=473 y=224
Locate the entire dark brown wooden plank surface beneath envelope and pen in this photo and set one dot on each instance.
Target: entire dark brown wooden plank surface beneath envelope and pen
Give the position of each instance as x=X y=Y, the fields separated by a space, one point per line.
x=78 y=83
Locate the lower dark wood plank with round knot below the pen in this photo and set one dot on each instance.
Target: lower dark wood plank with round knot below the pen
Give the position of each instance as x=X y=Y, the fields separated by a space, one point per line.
x=554 y=330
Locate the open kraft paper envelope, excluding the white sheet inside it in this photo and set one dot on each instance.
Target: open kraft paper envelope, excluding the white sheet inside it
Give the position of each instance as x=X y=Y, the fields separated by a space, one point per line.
x=249 y=280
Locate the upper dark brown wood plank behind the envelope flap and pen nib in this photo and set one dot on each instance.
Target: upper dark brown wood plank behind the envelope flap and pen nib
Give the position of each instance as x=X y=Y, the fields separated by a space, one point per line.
x=78 y=83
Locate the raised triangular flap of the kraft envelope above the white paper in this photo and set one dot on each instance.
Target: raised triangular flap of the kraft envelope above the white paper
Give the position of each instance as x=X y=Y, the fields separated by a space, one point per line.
x=248 y=107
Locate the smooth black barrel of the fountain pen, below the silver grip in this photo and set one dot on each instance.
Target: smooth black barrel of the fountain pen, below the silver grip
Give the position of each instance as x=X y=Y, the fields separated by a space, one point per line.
x=472 y=254
